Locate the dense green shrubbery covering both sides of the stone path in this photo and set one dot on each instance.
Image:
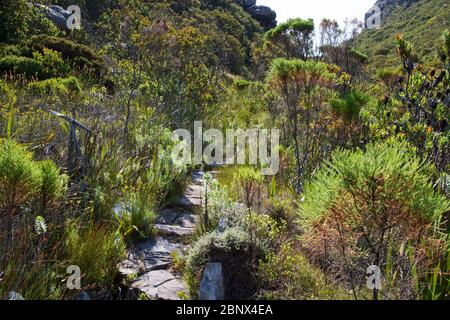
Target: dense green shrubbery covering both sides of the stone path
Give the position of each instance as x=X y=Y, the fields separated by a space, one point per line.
x=94 y=168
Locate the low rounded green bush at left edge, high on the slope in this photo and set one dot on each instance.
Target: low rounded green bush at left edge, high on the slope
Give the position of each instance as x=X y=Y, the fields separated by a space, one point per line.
x=28 y=67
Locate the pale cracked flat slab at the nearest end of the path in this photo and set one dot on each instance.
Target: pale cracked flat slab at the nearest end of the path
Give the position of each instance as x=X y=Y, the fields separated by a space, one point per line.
x=160 y=284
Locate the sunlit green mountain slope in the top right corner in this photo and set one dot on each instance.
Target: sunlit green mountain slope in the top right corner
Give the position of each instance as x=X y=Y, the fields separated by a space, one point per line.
x=420 y=21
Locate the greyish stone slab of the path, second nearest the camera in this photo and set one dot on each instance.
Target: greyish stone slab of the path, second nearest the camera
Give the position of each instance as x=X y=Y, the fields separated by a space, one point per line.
x=148 y=256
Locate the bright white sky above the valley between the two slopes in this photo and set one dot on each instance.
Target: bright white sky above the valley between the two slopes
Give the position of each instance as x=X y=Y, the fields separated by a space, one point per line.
x=318 y=9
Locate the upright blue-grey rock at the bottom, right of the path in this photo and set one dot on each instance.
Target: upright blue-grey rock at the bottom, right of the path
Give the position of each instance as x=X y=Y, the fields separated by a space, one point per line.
x=212 y=283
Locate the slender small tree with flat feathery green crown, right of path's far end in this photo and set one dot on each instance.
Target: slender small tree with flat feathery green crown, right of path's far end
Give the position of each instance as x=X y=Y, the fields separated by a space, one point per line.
x=302 y=87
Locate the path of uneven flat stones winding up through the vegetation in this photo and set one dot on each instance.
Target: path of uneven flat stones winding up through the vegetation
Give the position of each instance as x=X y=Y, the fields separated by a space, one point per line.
x=152 y=260
